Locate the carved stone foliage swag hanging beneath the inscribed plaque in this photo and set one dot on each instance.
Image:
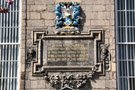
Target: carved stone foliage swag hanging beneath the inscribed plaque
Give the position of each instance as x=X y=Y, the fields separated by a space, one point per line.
x=67 y=80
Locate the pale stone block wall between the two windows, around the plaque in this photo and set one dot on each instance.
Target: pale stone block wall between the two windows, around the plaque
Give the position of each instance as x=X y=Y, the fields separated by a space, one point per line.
x=96 y=14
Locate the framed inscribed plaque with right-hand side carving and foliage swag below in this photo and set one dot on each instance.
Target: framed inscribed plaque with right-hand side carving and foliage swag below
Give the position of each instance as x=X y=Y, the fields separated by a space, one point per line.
x=61 y=59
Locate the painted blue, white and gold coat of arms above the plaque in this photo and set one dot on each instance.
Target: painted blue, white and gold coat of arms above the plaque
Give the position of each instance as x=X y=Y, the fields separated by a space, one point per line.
x=67 y=18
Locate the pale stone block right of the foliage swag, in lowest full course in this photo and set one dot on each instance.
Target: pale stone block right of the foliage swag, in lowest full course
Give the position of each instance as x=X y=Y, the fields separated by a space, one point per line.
x=98 y=84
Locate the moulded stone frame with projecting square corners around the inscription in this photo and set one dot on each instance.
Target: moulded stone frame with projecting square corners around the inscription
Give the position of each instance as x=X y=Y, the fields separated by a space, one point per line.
x=38 y=36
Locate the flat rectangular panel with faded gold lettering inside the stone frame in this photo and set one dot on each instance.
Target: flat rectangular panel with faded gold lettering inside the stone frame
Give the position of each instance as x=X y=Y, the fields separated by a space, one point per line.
x=69 y=52
